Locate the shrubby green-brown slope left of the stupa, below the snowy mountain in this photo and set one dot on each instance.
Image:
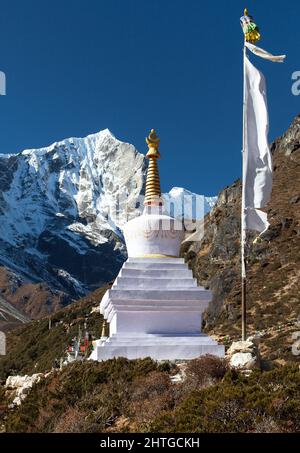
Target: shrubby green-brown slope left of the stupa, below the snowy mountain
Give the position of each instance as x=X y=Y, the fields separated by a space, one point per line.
x=35 y=347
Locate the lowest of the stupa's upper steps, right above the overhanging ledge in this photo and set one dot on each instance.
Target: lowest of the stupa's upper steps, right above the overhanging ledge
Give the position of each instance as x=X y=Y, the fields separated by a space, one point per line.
x=159 y=283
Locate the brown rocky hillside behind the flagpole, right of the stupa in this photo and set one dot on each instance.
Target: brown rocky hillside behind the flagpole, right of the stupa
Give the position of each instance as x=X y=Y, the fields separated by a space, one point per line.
x=273 y=261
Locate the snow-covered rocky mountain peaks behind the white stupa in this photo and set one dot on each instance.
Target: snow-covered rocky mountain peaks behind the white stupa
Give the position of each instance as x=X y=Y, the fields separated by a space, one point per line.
x=62 y=209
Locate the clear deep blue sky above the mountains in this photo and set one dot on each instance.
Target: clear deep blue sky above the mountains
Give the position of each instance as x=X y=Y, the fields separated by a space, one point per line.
x=74 y=67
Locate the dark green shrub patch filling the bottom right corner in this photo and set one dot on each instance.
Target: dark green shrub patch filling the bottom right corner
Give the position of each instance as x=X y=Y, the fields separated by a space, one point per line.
x=239 y=404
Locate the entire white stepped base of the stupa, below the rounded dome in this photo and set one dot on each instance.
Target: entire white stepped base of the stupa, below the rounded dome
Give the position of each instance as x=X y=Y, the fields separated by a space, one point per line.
x=154 y=309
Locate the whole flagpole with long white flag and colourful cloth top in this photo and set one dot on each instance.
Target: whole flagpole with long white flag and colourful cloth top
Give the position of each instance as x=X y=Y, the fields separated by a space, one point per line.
x=256 y=184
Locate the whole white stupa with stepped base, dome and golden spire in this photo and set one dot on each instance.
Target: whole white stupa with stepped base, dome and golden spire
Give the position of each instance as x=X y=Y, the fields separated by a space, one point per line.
x=154 y=308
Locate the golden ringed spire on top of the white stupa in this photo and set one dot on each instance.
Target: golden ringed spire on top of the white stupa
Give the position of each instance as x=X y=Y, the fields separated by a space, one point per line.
x=153 y=192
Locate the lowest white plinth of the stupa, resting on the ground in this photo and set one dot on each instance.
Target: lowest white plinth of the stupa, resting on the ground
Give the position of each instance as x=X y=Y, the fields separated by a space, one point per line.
x=158 y=347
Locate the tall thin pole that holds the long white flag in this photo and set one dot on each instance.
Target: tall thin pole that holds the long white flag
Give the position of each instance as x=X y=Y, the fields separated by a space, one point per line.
x=243 y=226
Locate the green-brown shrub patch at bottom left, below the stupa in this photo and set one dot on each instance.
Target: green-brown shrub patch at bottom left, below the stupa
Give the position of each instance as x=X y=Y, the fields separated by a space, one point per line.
x=100 y=389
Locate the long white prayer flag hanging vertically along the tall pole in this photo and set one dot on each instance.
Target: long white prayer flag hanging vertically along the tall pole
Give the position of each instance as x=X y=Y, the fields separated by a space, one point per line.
x=257 y=160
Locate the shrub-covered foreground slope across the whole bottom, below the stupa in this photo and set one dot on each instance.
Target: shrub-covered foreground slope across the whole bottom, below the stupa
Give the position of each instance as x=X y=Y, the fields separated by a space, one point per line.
x=139 y=396
